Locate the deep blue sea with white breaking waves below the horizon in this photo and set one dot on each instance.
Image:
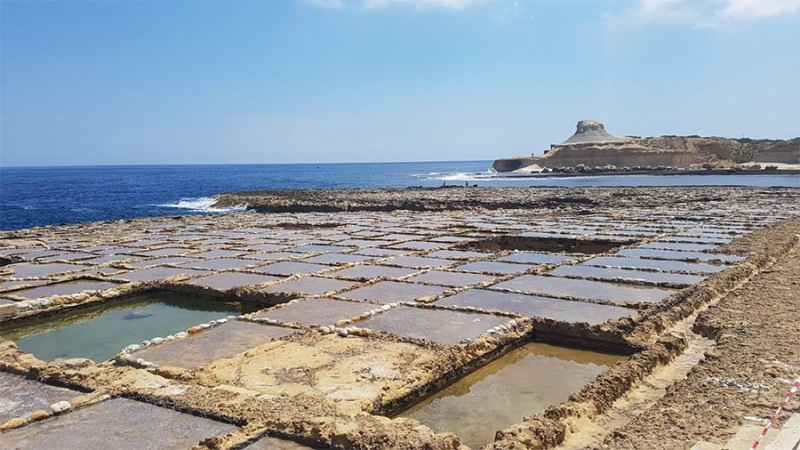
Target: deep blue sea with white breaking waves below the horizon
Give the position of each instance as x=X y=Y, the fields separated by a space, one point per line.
x=40 y=196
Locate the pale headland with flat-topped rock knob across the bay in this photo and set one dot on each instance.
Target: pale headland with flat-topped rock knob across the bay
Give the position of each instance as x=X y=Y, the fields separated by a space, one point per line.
x=591 y=146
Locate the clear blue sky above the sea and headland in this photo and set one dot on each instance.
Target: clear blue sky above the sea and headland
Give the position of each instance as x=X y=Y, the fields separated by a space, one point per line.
x=317 y=81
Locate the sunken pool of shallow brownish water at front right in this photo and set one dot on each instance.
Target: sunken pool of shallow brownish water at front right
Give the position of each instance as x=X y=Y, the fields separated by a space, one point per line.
x=524 y=382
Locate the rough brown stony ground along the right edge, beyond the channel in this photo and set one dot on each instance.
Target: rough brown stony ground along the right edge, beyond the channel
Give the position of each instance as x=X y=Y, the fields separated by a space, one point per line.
x=757 y=357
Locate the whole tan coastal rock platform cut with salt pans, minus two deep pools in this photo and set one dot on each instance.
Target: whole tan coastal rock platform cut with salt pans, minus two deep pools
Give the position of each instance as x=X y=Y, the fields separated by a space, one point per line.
x=365 y=302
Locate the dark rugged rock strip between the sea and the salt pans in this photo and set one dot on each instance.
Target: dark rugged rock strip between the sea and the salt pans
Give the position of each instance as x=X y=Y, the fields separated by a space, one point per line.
x=460 y=198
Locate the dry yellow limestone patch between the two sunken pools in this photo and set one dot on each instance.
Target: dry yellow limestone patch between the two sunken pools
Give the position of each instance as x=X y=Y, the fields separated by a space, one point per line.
x=355 y=372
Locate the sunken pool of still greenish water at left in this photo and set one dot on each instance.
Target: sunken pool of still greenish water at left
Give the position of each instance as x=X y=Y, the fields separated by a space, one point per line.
x=100 y=332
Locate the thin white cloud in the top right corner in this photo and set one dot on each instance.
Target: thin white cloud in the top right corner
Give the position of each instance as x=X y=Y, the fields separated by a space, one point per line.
x=701 y=13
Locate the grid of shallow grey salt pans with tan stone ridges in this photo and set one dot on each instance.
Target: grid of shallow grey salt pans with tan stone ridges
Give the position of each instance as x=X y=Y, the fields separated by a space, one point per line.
x=387 y=307
